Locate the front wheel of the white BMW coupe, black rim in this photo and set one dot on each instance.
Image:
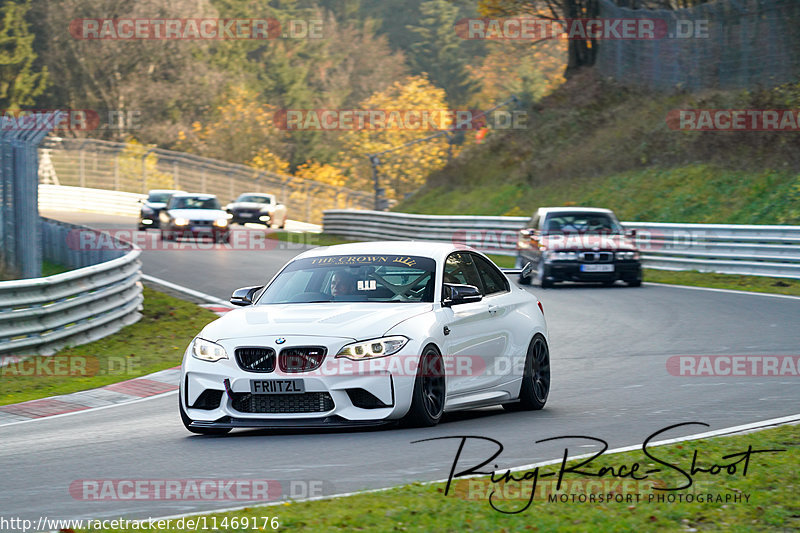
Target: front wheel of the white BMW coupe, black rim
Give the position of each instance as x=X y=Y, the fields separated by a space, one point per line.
x=427 y=401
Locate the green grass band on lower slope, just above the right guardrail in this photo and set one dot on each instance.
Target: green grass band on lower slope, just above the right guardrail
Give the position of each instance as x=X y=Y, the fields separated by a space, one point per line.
x=697 y=193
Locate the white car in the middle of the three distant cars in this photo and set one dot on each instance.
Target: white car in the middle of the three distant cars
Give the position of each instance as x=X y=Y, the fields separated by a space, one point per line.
x=194 y=215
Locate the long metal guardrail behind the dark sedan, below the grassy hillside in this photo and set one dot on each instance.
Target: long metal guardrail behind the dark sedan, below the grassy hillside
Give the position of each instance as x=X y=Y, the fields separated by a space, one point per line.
x=723 y=248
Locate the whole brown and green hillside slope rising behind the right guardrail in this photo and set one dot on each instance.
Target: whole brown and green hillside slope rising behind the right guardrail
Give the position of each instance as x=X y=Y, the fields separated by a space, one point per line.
x=595 y=143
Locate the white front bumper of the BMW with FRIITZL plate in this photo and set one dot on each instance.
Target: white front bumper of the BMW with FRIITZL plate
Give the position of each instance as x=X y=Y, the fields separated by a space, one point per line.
x=341 y=392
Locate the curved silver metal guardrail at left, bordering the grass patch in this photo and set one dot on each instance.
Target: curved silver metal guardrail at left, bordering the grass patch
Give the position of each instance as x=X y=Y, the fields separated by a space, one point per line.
x=40 y=315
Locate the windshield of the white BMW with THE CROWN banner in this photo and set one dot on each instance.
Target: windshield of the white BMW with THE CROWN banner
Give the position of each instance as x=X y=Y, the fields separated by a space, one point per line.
x=354 y=278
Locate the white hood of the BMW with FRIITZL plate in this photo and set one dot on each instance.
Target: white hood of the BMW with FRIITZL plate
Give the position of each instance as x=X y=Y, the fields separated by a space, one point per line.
x=357 y=320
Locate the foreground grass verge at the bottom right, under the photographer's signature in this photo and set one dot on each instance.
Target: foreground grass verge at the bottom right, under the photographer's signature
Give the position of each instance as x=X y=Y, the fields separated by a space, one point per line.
x=772 y=484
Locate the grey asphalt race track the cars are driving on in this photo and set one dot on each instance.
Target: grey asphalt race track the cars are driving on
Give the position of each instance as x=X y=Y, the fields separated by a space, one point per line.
x=609 y=348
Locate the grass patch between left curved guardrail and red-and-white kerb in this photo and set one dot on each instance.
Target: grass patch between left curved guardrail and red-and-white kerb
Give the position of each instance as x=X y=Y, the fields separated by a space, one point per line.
x=156 y=342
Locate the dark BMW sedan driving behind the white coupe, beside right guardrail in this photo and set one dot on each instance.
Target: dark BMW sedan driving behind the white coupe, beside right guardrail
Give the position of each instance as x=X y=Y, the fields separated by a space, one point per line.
x=578 y=244
